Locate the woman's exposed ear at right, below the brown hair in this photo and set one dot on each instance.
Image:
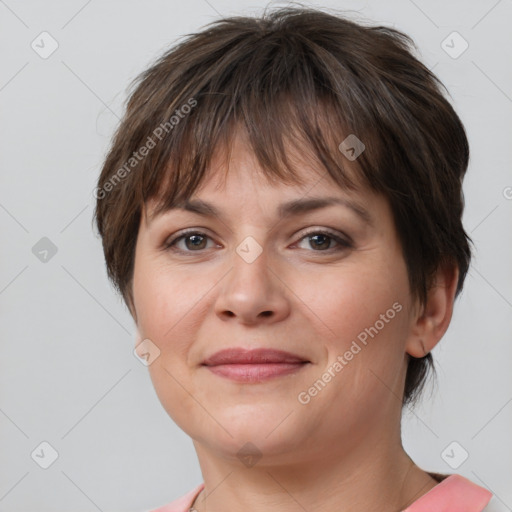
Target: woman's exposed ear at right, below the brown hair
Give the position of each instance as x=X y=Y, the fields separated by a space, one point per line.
x=430 y=324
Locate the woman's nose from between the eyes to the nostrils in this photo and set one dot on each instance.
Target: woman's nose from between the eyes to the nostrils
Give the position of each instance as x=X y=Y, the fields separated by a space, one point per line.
x=252 y=292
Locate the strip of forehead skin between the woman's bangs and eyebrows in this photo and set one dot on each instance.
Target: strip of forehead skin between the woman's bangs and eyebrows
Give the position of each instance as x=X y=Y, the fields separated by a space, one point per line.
x=236 y=176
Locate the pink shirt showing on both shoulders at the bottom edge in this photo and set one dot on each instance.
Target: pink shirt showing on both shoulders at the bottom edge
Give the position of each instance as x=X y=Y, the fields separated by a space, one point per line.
x=454 y=494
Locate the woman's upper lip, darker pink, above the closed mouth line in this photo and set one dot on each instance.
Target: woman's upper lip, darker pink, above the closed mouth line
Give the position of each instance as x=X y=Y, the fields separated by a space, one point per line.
x=238 y=356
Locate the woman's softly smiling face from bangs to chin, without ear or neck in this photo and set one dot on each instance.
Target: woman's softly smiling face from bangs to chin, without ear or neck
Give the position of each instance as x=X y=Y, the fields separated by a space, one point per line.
x=251 y=278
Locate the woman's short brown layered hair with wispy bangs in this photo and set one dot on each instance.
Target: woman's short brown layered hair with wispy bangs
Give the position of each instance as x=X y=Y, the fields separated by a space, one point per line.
x=308 y=78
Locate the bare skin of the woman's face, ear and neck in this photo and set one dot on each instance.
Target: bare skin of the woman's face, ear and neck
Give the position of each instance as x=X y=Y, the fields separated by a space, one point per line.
x=340 y=451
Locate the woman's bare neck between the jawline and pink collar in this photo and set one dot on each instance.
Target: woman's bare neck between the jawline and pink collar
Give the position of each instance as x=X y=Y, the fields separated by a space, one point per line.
x=370 y=476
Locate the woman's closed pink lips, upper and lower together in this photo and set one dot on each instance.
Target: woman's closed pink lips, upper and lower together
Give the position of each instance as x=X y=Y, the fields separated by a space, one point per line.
x=253 y=365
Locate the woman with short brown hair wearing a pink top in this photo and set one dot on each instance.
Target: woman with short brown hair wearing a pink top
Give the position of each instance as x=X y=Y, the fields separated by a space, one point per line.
x=281 y=211
